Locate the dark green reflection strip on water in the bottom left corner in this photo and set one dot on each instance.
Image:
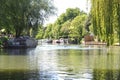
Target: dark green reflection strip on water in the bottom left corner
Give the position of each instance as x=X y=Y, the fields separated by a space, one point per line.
x=19 y=75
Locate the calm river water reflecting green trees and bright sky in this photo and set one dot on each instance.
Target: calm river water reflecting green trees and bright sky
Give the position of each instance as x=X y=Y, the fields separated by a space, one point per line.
x=60 y=62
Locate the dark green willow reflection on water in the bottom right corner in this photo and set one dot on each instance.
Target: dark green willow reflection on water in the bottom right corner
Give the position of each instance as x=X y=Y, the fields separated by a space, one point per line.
x=106 y=74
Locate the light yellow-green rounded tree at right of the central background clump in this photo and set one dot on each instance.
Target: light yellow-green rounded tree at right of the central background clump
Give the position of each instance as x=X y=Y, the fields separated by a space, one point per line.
x=77 y=29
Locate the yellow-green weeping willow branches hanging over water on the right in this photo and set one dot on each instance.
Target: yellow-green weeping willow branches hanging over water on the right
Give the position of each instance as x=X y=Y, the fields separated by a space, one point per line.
x=106 y=18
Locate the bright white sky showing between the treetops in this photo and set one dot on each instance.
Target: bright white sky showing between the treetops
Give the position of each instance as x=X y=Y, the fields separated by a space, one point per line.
x=62 y=5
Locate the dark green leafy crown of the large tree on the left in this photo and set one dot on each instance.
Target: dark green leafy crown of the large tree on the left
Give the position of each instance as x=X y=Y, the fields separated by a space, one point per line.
x=24 y=15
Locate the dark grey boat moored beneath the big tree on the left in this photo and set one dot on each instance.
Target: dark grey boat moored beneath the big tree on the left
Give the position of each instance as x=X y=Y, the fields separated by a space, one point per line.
x=21 y=42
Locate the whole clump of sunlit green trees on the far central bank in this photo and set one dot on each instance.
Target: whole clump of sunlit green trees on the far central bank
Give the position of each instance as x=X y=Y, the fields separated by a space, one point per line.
x=68 y=25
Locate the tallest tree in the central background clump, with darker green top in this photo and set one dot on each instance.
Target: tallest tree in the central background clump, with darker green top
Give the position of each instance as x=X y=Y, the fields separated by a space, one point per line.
x=64 y=21
